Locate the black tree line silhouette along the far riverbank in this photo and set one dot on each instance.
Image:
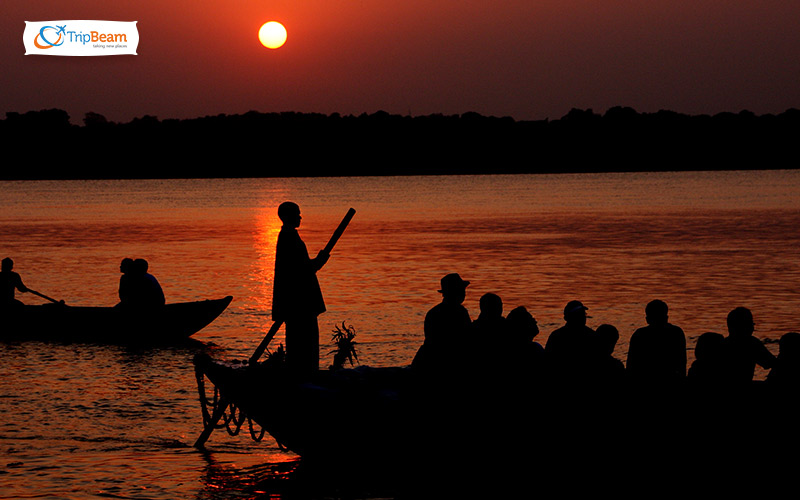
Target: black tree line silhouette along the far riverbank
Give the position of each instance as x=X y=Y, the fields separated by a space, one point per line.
x=256 y=144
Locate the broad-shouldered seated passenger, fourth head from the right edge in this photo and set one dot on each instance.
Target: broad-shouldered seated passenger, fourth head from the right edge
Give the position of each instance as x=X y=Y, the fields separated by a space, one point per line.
x=657 y=352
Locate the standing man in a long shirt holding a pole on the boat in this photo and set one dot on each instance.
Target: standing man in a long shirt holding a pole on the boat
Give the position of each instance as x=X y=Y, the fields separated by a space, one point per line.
x=297 y=297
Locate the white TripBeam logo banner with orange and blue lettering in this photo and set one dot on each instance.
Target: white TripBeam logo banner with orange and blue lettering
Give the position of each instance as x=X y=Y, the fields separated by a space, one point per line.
x=81 y=38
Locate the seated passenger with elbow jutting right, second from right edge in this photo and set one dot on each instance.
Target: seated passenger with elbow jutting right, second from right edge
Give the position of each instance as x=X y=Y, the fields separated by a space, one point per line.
x=741 y=350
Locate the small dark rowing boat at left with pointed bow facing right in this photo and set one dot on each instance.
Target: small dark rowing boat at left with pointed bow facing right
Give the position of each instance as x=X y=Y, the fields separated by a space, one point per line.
x=60 y=322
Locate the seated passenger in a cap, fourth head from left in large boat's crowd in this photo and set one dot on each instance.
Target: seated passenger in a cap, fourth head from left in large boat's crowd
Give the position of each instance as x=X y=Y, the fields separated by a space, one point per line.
x=574 y=349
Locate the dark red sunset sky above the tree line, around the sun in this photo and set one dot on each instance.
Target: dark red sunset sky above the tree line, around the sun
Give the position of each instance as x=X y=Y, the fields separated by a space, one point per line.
x=528 y=59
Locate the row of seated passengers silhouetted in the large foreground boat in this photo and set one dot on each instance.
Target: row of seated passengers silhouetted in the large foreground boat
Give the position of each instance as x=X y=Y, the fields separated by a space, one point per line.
x=576 y=355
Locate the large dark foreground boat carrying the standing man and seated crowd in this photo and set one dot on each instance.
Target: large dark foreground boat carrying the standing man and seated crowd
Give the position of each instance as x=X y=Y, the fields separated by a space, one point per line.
x=390 y=419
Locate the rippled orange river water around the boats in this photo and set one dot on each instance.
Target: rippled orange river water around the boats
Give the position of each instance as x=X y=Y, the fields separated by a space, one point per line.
x=98 y=421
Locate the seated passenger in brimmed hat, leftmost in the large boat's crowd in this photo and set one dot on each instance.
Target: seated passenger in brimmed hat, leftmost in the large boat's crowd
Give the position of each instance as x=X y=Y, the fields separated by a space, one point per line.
x=446 y=324
